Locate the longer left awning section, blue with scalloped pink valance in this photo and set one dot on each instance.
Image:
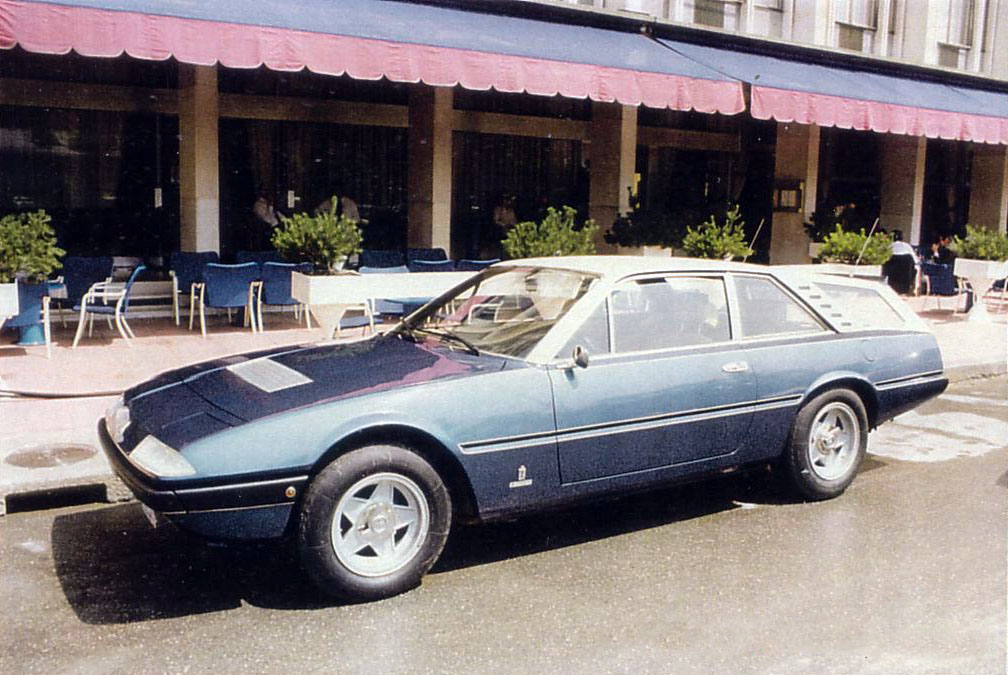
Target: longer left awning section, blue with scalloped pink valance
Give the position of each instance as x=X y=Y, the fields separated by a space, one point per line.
x=623 y=68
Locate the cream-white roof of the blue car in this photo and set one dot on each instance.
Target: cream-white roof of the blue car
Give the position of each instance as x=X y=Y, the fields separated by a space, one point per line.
x=616 y=267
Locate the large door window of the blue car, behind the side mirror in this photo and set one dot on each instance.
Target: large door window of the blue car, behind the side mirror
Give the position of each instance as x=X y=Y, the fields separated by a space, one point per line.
x=672 y=313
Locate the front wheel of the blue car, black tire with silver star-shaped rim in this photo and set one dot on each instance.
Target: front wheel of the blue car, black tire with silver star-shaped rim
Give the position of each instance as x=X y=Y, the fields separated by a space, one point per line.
x=373 y=522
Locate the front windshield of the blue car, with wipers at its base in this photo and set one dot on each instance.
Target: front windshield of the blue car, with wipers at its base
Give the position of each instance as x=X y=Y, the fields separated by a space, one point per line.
x=505 y=311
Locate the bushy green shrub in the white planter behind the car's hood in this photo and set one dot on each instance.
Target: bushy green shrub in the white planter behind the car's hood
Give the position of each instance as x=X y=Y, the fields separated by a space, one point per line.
x=324 y=240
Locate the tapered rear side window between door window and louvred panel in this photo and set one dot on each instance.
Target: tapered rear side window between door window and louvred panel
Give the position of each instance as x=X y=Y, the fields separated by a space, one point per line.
x=766 y=310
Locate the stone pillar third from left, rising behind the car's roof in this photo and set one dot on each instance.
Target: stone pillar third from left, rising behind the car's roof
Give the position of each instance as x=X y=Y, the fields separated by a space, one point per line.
x=613 y=154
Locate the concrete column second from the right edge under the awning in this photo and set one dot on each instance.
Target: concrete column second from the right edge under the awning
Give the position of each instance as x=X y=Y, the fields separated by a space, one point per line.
x=903 y=185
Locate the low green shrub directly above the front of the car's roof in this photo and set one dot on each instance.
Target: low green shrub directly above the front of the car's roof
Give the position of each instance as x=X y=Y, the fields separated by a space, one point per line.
x=557 y=235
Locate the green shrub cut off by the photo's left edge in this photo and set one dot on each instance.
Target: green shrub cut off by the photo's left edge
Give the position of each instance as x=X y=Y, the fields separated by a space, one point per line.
x=29 y=247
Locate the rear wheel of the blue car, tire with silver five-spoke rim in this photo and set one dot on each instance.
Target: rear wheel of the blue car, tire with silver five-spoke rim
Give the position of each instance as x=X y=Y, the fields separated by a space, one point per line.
x=828 y=445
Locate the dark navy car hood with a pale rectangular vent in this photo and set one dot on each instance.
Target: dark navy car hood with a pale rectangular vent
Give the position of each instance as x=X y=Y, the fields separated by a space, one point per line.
x=246 y=387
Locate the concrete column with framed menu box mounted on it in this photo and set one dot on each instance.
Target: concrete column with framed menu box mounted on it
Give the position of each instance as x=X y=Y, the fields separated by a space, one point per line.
x=797 y=160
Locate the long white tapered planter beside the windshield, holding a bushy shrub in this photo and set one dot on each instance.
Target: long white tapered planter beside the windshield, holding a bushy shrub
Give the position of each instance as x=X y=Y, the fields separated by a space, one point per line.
x=329 y=298
